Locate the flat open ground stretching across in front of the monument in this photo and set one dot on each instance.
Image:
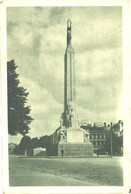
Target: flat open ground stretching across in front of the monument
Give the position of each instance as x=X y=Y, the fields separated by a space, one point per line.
x=92 y=171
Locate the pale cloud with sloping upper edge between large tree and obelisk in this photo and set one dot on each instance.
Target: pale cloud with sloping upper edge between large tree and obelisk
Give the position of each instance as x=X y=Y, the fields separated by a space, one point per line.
x=45 y=110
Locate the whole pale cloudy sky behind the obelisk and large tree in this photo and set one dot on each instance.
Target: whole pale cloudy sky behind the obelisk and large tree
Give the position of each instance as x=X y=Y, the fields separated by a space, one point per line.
x=37 y=43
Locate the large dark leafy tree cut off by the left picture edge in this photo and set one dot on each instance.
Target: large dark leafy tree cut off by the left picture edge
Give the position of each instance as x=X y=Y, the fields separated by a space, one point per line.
x=18 y=112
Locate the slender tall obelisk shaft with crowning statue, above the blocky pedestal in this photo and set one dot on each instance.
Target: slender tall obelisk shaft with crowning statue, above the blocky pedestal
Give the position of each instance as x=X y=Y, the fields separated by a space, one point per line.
x=69 y=115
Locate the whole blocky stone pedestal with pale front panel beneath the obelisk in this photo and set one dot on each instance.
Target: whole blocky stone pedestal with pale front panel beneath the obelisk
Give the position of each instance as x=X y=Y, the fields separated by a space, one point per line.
x=73 y=143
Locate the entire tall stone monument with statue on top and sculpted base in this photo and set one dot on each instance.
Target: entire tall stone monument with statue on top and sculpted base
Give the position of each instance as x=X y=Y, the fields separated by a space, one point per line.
x=69 y=139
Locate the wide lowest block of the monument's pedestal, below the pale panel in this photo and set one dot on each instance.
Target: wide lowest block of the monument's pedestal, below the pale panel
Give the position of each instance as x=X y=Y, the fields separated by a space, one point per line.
x=75 y=149
